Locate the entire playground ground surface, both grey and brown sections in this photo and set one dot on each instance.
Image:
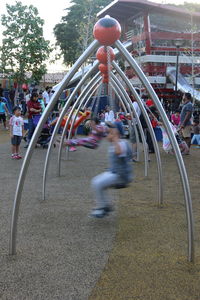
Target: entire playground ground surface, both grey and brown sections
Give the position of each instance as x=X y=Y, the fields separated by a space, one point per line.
x=139 y=252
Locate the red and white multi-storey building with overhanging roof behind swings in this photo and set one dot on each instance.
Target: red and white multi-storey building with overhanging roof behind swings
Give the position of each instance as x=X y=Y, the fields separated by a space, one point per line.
x=166 y=44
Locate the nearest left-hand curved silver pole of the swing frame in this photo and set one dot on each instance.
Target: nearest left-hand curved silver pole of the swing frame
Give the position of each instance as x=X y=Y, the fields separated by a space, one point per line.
x=27 y=158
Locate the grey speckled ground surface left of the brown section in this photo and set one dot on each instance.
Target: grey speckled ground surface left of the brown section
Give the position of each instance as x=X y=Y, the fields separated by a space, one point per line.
x=60 y=250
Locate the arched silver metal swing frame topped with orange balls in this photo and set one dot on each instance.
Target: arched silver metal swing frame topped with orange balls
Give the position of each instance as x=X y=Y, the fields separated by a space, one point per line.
x=104 y=30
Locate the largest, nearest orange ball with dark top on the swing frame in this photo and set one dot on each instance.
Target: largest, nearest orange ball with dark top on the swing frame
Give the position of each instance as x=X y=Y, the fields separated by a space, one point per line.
x=107 y=31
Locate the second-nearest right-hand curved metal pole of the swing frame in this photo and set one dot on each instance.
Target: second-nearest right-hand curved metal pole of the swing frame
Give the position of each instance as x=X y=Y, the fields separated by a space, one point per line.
x=150 y=128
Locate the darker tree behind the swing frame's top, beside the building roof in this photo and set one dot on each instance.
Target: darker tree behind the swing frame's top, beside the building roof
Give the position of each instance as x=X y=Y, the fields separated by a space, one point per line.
x=74 y=32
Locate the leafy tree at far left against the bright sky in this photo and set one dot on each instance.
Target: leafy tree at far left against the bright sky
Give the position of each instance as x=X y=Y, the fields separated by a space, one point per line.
x=24 y=48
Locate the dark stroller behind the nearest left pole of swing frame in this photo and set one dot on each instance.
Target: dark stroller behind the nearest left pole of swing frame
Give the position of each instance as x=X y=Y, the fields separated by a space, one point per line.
x=45 y=135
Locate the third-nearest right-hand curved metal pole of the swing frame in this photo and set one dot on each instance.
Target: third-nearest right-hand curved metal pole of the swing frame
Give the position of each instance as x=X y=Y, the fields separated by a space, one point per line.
x=122 y=90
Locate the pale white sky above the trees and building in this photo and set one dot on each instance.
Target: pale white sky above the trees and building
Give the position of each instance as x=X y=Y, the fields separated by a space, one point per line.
x=52 y=12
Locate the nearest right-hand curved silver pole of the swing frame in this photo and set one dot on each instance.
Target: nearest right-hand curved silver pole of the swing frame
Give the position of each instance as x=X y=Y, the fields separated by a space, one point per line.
x=179 y=159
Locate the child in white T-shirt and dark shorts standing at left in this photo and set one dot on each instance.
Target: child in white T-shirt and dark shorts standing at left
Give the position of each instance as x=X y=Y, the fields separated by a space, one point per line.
x=16 y=131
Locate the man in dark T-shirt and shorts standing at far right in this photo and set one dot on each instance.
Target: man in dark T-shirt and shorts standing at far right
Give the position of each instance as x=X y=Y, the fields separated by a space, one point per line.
x=185 y=118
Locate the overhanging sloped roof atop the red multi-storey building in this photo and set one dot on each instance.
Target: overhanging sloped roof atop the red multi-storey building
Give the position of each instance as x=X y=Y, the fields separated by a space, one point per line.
x=121 y=9
